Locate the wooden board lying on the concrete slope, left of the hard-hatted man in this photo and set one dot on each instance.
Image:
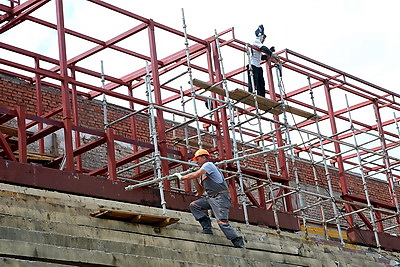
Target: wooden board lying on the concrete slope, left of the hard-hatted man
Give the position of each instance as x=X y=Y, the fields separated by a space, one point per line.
x=127 y=216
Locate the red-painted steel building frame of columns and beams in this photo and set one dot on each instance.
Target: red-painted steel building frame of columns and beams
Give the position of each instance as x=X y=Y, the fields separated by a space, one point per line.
x=64 y=77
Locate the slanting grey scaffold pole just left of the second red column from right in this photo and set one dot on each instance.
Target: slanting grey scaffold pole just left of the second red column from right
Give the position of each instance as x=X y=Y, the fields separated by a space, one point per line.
x=327 y=174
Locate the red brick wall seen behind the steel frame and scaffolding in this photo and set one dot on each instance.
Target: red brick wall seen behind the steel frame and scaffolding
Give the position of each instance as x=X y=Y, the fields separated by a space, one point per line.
x=15 y=92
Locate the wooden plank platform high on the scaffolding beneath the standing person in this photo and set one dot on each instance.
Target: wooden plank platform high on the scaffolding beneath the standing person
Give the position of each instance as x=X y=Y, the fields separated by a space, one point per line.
x=263 y=103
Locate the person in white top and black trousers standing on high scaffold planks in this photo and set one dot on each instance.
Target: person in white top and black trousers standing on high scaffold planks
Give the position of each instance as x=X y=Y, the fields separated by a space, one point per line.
x=258 y=52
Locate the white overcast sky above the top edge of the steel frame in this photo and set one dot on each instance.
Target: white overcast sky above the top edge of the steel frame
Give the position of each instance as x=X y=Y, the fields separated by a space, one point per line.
x=361 y=37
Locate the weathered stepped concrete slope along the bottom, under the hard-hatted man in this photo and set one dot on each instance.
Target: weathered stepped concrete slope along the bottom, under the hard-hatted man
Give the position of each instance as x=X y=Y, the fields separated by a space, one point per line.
x=40 y=228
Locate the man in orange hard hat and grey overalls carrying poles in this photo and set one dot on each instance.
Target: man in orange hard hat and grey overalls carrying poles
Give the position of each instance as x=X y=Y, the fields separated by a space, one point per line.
x=218 y=197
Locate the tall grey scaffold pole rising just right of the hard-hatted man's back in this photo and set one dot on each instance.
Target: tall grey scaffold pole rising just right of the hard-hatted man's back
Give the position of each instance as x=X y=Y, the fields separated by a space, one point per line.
x=232 y=129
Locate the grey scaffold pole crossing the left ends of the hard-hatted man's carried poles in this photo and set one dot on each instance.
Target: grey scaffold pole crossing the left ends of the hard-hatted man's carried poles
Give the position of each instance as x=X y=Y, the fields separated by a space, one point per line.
x=153 y=136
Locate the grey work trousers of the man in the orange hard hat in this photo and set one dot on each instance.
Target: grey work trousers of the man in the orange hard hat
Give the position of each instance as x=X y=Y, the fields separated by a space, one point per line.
x=220 y=207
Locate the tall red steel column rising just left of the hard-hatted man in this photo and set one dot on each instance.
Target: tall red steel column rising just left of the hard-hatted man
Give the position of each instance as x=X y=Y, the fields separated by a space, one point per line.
x=162 y=139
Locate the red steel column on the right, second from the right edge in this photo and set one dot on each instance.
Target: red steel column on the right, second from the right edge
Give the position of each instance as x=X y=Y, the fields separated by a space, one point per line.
x=343 y=184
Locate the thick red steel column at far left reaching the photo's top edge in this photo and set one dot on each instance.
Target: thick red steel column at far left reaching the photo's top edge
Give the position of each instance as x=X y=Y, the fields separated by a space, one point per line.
x=67 y=118
